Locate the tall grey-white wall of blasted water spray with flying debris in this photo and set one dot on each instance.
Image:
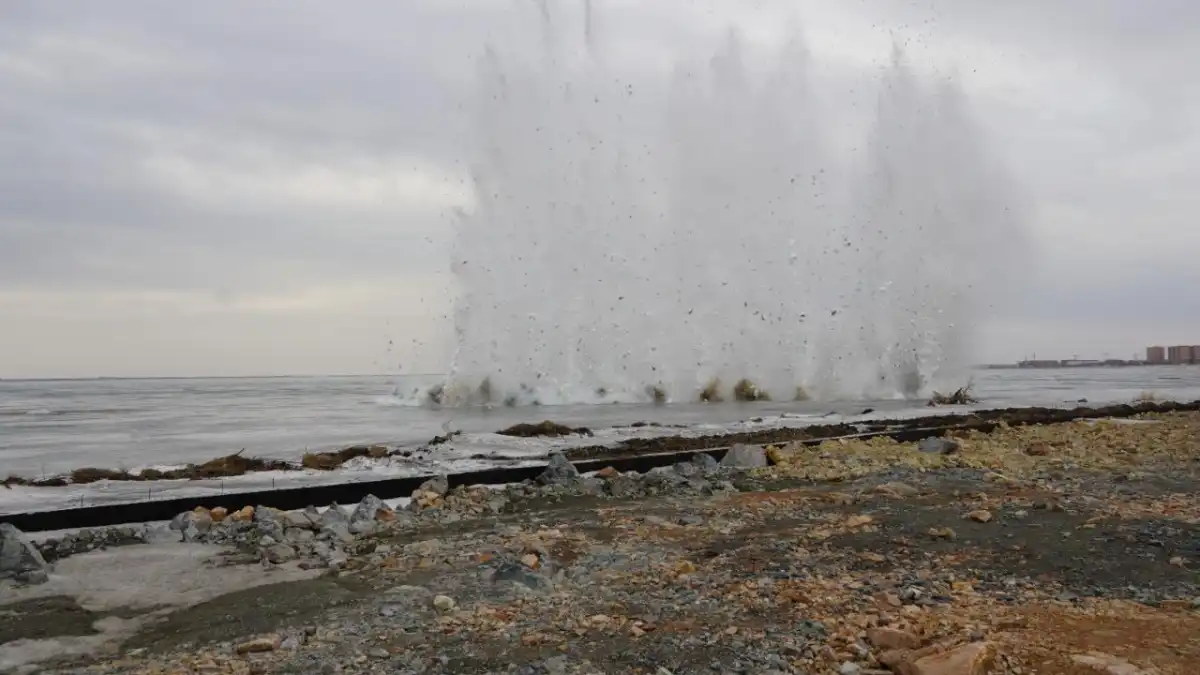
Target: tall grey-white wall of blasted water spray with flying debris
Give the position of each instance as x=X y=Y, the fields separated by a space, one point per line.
x=628 y=246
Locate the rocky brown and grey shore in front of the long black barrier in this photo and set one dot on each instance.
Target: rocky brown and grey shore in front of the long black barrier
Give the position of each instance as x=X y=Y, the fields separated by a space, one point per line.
x=1066 y=549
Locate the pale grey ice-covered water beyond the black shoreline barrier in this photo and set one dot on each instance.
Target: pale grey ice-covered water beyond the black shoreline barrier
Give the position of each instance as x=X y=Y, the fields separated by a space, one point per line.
x=52 y=427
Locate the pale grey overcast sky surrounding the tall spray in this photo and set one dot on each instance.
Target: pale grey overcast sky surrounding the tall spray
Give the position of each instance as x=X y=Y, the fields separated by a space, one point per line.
x=232 y=189
